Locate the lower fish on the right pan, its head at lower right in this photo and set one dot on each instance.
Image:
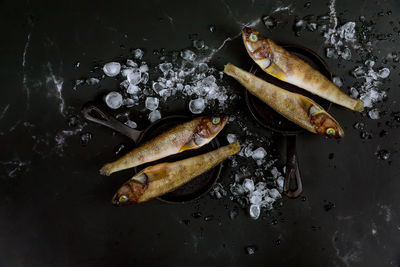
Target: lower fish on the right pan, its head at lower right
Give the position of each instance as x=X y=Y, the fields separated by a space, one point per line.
x=297 y=108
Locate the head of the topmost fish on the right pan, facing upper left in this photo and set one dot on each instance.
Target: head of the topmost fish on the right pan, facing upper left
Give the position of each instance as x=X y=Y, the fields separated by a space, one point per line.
x=257 y=46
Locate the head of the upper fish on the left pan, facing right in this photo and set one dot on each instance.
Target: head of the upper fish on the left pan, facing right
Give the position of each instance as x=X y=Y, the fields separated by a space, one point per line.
x=209 y=127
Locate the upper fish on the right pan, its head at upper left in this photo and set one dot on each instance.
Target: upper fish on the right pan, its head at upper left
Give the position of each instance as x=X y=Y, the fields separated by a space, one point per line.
x=278 y=62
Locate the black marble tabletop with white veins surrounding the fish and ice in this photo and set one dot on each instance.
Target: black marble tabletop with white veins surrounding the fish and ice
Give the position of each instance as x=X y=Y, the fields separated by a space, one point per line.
x=55 y=210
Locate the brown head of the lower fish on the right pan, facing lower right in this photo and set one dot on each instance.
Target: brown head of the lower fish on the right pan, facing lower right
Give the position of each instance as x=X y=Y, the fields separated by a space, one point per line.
x=324 y=123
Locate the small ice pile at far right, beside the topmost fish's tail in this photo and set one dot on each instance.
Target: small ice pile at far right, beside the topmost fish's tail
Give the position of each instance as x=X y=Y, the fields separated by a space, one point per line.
x=369 y=91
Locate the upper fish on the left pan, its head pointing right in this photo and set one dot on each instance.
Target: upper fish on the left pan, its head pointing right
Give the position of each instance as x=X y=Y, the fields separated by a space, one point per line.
x=189 y=135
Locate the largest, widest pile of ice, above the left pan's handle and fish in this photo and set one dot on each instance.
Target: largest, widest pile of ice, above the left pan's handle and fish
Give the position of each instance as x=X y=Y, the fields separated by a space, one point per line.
x=186 y=77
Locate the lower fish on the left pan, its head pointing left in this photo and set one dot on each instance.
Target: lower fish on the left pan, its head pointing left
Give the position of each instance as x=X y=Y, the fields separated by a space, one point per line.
x=162 y=178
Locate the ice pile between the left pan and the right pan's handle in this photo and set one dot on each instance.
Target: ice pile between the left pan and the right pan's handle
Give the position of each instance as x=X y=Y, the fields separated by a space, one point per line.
x=257 y=183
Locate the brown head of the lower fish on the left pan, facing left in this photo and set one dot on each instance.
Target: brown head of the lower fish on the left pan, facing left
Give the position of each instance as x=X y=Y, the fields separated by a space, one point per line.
x=130 y=192
